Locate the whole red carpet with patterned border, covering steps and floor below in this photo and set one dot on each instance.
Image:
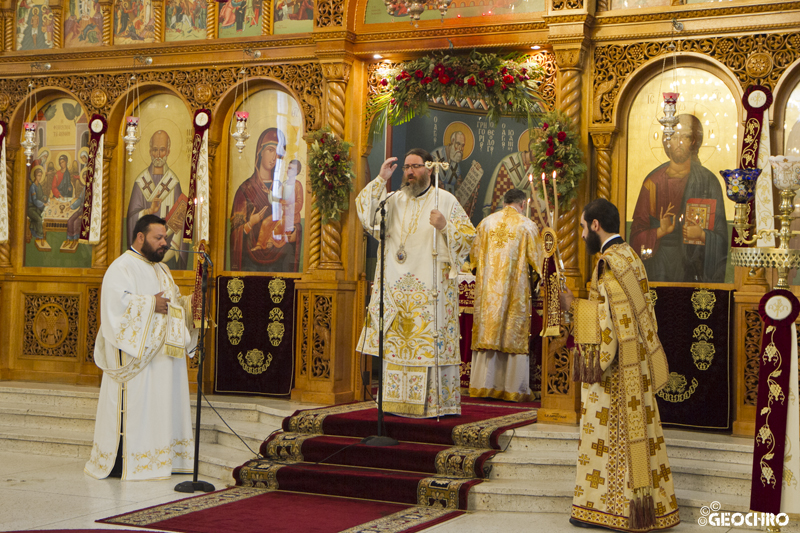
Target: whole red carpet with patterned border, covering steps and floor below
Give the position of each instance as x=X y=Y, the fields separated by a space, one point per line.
x=316 y=477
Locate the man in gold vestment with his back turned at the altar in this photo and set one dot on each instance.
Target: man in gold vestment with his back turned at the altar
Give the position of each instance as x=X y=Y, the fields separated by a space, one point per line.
x=506 y=243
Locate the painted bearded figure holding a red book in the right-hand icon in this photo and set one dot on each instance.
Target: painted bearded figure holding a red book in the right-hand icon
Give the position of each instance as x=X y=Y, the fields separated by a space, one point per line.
x=685 y=248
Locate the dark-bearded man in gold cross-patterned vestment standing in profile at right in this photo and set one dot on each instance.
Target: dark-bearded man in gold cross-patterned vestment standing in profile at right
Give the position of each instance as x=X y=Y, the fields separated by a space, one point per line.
x=624 y=480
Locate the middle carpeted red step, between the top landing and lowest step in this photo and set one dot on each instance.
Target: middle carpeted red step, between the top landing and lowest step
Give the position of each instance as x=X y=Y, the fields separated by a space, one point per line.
x=457 y=461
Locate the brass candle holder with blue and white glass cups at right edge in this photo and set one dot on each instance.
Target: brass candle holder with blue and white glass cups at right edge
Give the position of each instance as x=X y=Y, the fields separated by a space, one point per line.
x=741 y=187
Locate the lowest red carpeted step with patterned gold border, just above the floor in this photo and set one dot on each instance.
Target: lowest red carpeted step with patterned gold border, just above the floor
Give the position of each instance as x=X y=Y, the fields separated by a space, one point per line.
x=351 y=482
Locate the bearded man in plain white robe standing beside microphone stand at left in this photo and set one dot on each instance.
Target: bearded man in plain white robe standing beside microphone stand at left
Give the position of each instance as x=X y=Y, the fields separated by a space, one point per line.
x=146 y=330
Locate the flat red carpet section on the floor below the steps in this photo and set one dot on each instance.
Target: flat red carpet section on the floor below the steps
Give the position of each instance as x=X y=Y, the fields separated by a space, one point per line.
x=249 y=510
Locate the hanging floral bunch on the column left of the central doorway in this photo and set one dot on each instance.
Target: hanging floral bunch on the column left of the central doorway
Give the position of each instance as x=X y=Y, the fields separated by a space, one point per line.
x=330 y=173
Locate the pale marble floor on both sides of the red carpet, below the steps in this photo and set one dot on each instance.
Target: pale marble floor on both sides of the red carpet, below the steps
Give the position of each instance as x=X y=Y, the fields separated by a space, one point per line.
x=41 y=493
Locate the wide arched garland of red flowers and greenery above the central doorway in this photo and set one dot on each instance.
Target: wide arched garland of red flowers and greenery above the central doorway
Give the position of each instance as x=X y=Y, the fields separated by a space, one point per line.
x=506 y=86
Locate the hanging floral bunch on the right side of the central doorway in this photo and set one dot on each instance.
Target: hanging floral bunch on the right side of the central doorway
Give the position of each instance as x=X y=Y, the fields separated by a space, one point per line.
x=554 y=149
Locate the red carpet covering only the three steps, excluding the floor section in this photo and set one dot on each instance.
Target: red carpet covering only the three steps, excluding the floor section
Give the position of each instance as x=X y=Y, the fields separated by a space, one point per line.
x=435 y=464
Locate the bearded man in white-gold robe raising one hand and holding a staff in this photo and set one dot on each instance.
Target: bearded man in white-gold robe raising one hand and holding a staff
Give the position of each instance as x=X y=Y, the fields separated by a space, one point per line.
x=410 y=363
